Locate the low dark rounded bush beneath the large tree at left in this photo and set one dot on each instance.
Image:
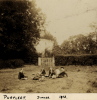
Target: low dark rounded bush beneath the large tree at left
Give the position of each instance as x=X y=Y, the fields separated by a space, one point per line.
x=13 y=63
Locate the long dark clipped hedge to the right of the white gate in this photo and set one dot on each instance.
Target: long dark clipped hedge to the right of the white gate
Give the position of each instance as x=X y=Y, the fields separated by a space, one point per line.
x=76 y=60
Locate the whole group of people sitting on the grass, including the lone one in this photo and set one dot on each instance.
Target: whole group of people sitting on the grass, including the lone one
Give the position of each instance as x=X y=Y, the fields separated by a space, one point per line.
x=57 y=73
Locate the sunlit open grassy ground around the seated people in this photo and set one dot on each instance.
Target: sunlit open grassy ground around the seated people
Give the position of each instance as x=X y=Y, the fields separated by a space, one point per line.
x=81 y=79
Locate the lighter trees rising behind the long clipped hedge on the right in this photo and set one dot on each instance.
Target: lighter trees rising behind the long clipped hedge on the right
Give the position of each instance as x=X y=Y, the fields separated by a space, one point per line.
x=80 y=44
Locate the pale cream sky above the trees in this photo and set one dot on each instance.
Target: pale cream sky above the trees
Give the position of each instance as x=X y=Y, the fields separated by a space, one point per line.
x=68 y=17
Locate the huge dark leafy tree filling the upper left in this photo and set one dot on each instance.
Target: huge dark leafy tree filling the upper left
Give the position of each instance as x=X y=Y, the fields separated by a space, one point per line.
x=20 y=25
